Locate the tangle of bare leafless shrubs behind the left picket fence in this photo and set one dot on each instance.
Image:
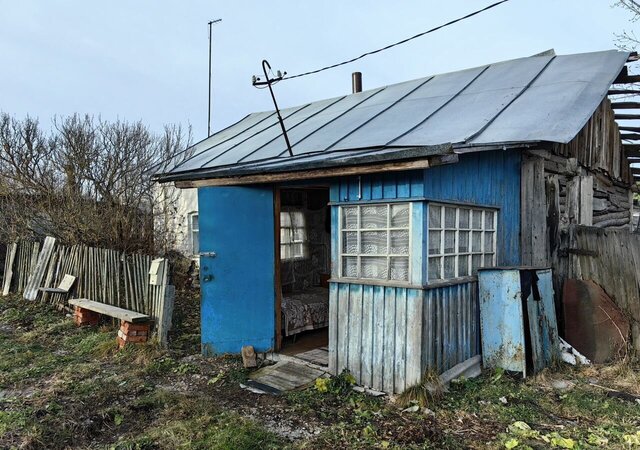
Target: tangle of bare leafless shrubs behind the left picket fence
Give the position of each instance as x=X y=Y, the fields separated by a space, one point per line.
x=88 y=181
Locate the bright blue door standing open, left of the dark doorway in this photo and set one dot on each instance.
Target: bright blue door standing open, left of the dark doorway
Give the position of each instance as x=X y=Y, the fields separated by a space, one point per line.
x=238 y=303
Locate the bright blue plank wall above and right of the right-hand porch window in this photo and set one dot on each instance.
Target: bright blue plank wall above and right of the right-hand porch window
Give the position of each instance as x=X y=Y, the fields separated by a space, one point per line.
x=484 y=178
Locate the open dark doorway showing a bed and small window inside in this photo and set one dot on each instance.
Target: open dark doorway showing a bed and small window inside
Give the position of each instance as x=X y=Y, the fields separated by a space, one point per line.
x=304 y=268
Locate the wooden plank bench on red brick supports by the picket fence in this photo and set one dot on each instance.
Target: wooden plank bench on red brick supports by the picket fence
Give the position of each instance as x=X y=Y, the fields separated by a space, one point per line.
x=134 y=326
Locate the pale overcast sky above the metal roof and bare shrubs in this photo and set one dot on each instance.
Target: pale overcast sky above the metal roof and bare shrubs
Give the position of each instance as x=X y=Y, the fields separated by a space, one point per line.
x=147 y=60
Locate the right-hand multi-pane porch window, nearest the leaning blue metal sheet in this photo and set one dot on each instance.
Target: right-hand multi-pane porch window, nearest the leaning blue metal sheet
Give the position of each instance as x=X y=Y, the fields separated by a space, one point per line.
x=461 y=240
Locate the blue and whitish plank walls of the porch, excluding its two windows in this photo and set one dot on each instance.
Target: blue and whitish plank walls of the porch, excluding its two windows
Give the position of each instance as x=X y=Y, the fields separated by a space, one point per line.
x=389 y=334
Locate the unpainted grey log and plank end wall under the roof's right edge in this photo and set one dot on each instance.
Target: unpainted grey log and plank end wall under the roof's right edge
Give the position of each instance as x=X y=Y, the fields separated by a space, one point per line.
x=585 y=182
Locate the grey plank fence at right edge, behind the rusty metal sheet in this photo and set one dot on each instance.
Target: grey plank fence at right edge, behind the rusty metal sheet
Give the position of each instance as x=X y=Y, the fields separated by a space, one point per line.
x=610 y=258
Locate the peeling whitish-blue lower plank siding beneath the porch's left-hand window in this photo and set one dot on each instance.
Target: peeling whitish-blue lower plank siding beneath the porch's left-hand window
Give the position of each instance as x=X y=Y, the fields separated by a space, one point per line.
x=376 y=333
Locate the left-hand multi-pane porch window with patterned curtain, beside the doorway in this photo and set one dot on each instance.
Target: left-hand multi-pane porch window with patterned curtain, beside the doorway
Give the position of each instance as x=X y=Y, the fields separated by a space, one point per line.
x=374 y=241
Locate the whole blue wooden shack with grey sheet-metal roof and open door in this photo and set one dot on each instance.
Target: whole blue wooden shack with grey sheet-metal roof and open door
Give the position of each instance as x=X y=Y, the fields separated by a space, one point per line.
x=392 y=201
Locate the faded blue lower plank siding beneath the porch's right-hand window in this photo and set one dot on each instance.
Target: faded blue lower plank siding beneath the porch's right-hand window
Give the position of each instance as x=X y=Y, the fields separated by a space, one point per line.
x=451 y=330
